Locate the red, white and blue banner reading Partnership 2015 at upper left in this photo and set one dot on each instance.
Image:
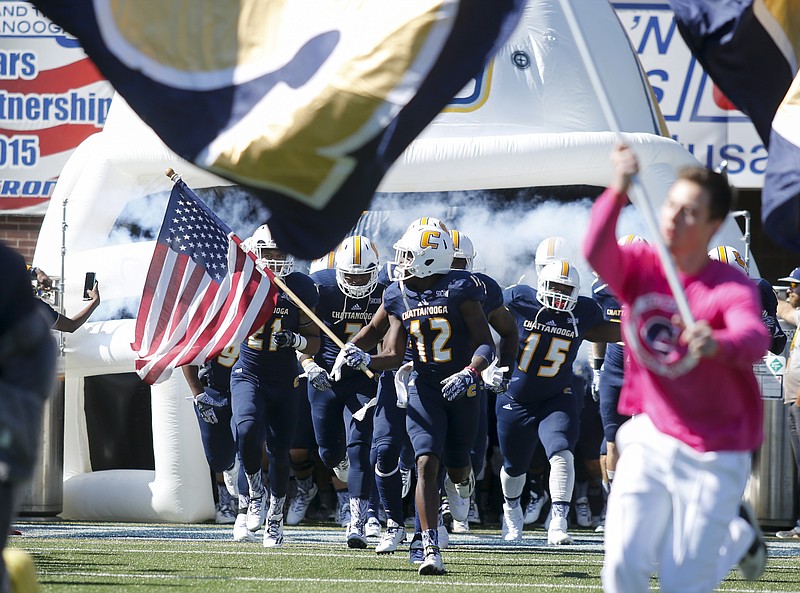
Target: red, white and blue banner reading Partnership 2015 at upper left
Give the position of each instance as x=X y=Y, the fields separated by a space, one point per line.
x=51 y=99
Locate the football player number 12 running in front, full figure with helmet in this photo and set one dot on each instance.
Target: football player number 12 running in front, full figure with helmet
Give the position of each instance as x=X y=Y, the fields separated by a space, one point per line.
x=439 y=309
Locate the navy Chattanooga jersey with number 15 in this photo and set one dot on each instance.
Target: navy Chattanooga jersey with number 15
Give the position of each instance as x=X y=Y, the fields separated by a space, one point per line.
x=549 y=342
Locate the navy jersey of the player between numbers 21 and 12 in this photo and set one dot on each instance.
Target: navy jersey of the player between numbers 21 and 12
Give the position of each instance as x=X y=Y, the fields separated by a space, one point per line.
x=344 y=315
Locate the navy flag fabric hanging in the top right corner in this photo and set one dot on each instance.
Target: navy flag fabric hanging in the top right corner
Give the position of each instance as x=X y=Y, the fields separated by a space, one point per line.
x=749 y=48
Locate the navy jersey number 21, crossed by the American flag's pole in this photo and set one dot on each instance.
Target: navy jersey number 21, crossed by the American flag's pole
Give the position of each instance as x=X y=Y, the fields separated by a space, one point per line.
x=258 y=353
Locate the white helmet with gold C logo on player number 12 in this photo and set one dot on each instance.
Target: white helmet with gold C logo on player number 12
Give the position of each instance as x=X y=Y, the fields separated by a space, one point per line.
x=423 y=251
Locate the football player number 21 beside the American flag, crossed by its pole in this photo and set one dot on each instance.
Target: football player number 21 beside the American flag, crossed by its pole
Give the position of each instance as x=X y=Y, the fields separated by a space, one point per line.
x=264 y=389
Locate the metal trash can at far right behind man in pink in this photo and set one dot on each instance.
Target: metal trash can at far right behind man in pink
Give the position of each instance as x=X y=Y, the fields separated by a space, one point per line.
x=772 y=487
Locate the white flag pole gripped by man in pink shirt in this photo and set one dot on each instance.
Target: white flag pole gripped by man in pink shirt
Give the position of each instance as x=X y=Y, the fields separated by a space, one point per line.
x=639 y=193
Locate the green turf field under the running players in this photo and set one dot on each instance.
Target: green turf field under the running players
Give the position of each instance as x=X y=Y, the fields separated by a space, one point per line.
x=114 y=557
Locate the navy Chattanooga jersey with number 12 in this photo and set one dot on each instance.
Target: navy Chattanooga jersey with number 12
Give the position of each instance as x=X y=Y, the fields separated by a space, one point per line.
x=439 y=338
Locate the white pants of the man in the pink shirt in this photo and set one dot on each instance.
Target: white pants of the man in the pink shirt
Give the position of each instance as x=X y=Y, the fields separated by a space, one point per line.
x=674 y=511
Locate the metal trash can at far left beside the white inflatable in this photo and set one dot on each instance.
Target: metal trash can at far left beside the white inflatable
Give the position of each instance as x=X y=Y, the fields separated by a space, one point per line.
x=44 y=494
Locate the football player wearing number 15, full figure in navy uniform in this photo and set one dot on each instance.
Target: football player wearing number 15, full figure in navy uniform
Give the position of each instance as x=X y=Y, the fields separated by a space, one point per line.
x=540 y=405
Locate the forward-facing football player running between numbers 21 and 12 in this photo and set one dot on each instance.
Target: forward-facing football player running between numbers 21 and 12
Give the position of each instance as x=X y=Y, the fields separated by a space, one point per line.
x=349 y=295
